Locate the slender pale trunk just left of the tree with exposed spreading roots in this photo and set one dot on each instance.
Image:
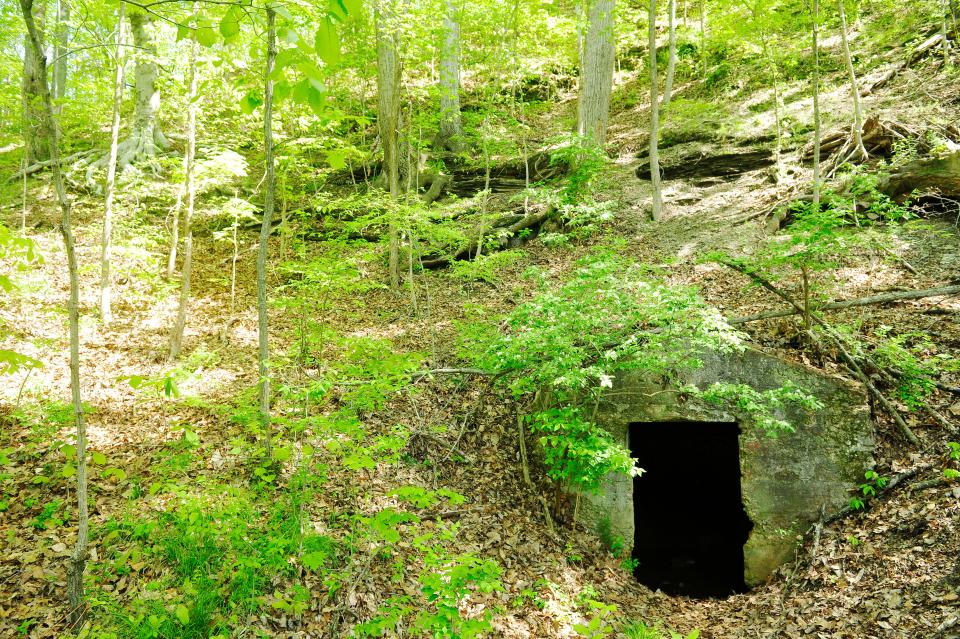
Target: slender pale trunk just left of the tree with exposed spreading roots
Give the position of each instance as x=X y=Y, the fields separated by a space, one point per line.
x=176 y=337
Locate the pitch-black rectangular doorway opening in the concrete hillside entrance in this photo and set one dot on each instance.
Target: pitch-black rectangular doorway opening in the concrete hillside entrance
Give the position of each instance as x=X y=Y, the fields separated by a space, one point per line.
x=687 y=507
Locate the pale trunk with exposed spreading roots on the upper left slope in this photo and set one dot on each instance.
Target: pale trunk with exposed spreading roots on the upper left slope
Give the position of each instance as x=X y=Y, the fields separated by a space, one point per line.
x=146 y=138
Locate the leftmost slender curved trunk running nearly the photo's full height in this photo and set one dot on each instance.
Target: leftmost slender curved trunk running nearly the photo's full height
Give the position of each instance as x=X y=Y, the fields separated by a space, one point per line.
x=77 y=563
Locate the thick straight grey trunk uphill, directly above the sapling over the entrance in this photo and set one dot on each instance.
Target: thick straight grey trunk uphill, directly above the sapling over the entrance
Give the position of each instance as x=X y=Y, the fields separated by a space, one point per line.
x=596 y=73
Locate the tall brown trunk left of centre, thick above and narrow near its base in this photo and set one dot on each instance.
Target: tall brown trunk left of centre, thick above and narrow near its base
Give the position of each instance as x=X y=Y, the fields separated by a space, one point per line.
x=388 y=115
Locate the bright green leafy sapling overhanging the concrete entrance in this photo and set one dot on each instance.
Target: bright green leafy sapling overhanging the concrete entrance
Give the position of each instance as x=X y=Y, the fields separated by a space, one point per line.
x=568 y=345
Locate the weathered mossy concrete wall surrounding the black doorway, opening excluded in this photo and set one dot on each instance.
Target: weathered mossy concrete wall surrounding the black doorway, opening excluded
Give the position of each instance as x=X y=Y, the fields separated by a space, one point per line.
x=785 y=480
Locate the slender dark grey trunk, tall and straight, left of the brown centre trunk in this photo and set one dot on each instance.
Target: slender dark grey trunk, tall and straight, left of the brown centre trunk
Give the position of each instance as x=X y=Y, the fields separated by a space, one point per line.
x=265 y=228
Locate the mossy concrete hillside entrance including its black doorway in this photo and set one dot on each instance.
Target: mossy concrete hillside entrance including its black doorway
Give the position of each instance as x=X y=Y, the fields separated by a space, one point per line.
x=722 y=504
